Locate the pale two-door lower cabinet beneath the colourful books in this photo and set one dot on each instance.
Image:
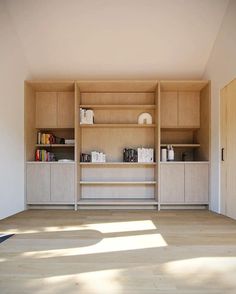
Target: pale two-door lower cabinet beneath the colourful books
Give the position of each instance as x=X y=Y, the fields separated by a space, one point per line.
x=49 y=183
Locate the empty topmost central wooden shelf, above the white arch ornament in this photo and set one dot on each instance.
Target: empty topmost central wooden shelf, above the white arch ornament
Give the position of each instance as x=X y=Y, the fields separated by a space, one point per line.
x=118 y=107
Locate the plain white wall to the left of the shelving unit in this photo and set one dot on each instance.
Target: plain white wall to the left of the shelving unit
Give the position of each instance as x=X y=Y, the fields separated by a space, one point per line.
x=13 y=71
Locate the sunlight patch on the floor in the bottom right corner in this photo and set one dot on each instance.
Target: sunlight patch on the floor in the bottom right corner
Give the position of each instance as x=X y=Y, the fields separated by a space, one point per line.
x=203 y=269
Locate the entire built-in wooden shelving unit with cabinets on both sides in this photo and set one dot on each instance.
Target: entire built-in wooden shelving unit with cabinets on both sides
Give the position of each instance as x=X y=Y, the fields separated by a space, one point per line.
x=180 y=112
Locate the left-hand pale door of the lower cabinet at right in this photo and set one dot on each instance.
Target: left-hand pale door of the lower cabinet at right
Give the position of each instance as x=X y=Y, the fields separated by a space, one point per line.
x=172 y=183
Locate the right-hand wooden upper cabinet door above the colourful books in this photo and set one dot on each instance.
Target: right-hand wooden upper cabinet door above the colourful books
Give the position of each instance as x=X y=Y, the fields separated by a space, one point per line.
x=65 y=114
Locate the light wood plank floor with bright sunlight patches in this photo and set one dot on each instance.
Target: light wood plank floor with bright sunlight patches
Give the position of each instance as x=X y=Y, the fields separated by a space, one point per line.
x=168 y=252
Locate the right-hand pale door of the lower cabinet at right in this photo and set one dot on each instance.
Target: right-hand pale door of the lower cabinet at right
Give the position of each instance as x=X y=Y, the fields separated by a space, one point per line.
x=196 y=183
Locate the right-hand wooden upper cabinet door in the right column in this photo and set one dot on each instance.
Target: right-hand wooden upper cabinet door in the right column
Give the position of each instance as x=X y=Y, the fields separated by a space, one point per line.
x=189 y=109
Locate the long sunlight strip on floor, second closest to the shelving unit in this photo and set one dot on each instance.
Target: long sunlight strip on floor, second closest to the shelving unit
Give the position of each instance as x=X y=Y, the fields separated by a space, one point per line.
x=114 y=244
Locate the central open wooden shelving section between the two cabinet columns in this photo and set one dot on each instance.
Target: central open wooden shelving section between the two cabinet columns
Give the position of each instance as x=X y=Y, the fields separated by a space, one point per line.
x=116 y=106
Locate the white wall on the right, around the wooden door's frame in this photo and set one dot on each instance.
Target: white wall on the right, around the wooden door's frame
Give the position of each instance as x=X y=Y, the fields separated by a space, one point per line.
x=220 y=69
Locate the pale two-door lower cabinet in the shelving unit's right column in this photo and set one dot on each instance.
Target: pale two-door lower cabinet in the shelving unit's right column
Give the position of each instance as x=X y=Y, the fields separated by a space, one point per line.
x=184 y=183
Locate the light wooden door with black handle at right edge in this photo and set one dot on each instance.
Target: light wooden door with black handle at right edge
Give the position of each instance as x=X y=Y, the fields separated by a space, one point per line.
x=228 y=149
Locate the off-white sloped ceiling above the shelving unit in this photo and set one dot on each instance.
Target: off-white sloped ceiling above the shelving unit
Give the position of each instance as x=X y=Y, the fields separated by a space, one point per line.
x=109 y=39
